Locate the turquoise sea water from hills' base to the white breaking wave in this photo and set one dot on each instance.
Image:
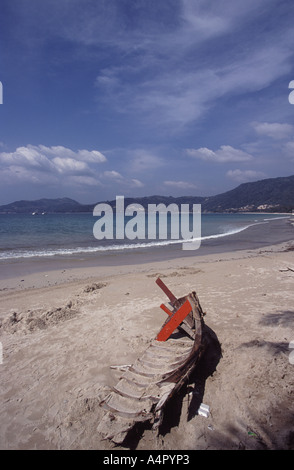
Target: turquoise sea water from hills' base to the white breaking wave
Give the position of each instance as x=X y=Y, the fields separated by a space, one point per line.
x=55 y=235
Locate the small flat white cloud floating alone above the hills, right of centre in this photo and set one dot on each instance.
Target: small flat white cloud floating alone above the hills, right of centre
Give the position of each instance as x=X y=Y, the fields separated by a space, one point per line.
x=224 y=154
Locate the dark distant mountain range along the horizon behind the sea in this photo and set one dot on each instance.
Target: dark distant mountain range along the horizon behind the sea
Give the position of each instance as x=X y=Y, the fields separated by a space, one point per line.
x=268 y=195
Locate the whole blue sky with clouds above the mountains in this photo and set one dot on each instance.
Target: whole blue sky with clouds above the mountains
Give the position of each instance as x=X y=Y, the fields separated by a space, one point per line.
x=143 y=97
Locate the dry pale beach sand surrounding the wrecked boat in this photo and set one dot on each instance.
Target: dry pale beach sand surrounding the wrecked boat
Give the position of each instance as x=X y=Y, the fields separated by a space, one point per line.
x=62 y=329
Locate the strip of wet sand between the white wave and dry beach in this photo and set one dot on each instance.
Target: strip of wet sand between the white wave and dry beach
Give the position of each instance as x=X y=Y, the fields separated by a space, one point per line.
x=31 y=272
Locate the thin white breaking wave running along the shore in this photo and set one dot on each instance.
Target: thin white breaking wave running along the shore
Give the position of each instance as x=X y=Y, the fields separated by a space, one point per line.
x=119 y=247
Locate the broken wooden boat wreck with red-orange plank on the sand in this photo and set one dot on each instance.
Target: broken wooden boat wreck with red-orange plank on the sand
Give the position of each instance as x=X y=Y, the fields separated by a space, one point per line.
x=145 y=387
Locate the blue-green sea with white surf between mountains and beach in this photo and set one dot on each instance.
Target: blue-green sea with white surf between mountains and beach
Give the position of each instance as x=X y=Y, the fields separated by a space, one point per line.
x=70 y=235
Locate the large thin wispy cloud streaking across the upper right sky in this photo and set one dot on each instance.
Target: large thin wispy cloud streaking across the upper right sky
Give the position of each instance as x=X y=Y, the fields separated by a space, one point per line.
x=174 y=95
